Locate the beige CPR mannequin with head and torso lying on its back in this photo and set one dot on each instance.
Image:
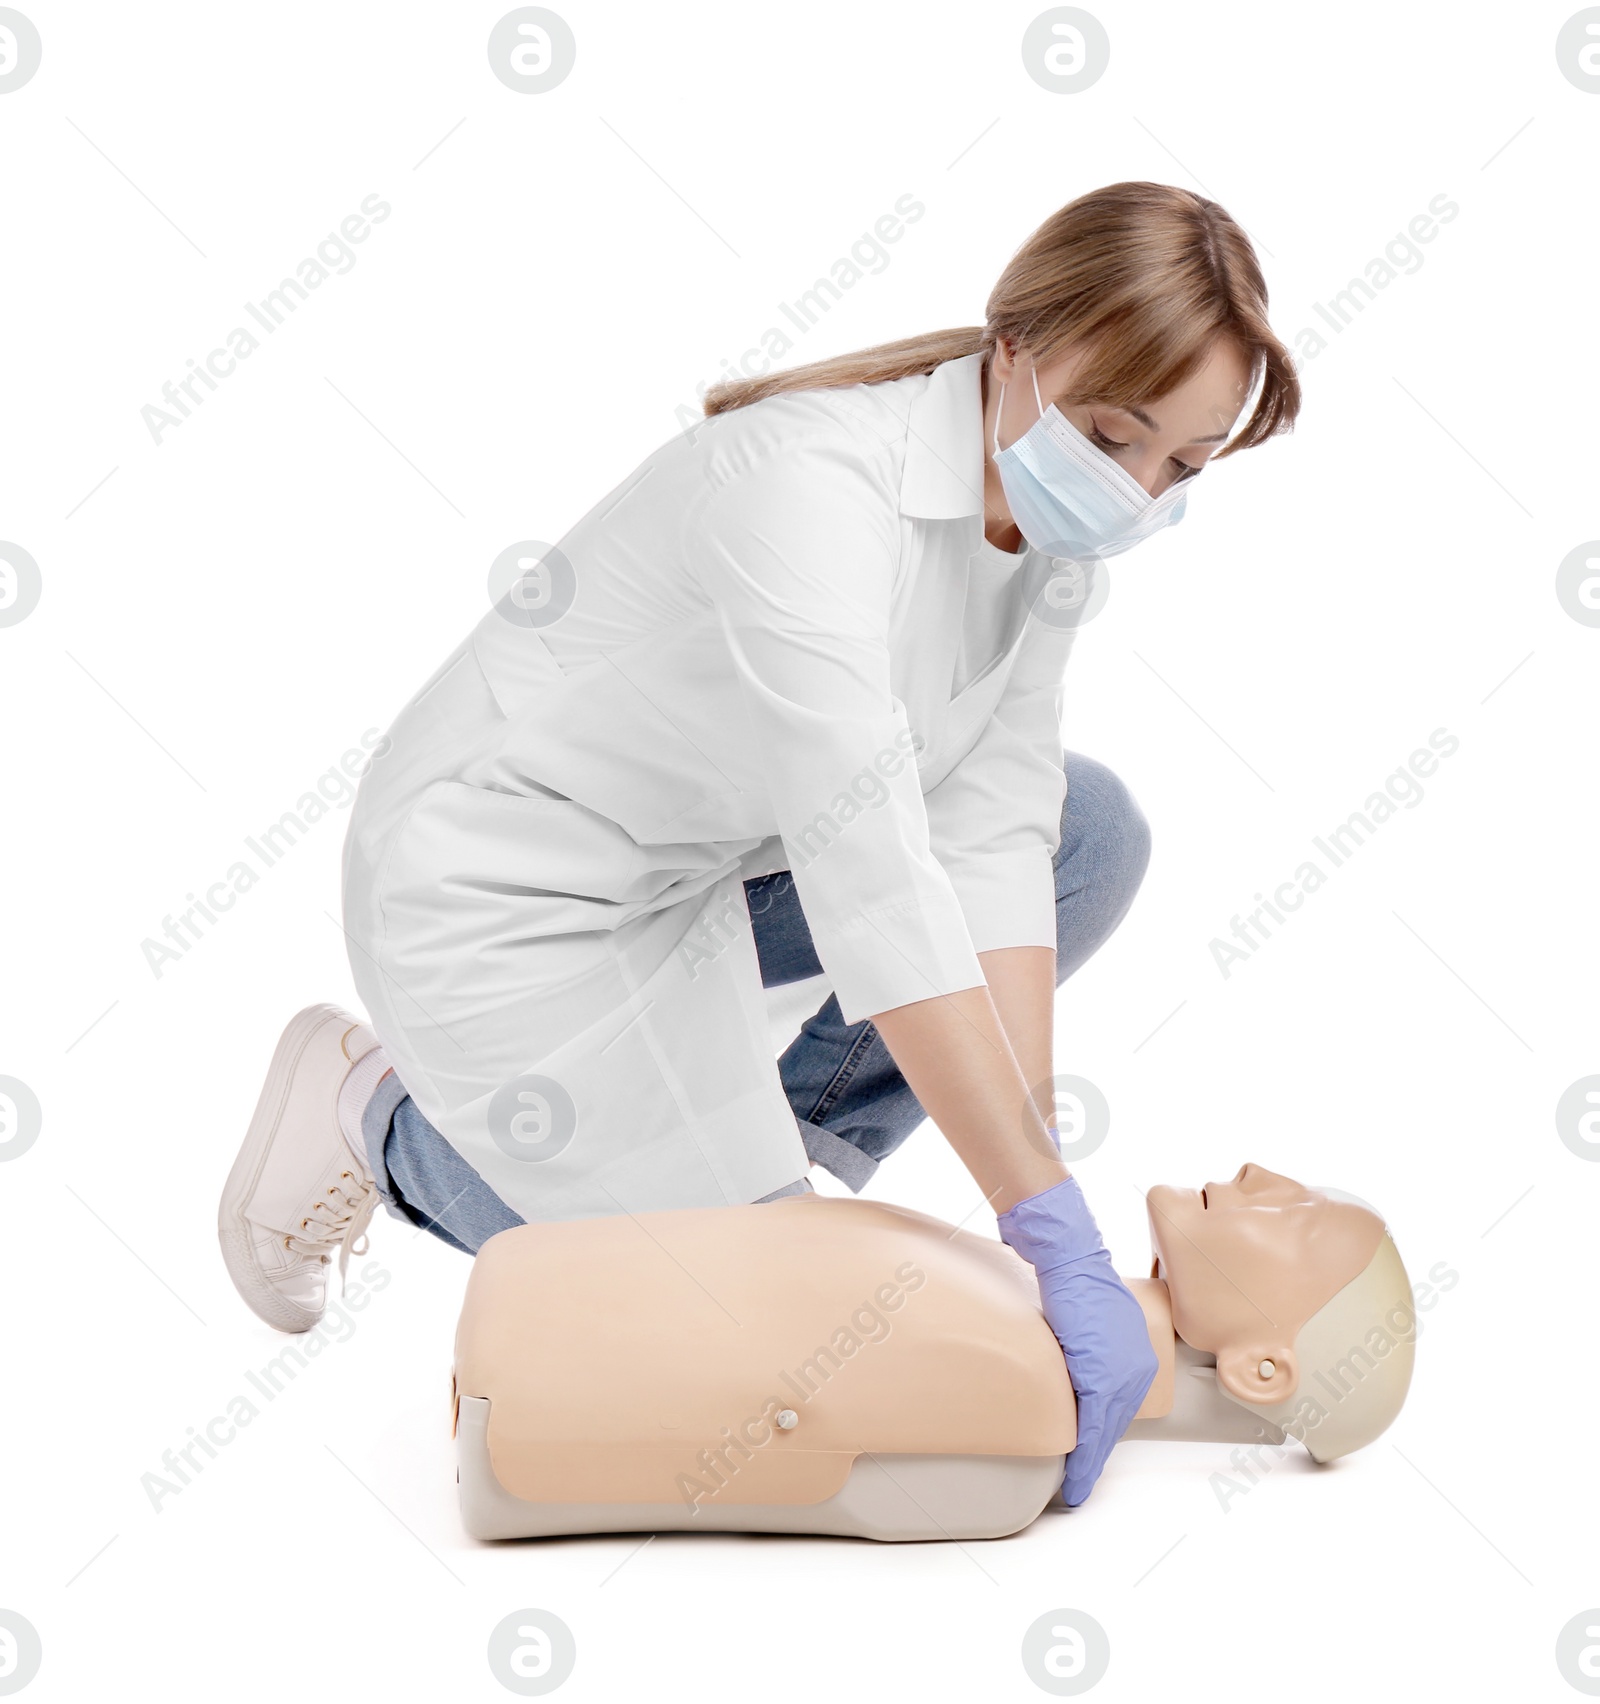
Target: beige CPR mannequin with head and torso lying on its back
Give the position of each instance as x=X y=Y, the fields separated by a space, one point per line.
x=851 y=1367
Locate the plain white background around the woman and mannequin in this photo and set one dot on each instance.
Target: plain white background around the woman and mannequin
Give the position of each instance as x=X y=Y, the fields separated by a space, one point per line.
x=229 y=611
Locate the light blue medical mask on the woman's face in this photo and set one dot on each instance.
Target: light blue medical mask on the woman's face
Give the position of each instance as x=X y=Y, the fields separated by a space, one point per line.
x=1073 y=500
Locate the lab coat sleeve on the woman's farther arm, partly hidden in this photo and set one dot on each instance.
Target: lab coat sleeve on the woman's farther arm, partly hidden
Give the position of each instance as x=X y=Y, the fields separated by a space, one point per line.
x=996 y=819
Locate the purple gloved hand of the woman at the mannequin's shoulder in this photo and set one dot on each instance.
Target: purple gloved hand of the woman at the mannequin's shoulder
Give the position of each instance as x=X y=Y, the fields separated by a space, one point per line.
x=1096 y=1320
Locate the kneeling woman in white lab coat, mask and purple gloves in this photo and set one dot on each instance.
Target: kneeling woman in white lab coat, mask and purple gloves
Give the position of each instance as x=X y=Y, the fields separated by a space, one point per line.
x=785 y=703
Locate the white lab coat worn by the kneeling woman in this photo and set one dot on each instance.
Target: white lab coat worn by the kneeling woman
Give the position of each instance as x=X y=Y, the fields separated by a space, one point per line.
x=544 y=872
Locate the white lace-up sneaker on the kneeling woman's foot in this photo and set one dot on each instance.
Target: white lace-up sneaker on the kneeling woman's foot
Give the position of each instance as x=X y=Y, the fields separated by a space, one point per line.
x=299 y=1189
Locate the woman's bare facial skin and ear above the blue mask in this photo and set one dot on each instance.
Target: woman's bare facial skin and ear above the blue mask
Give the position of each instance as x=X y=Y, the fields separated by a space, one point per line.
x=1156 y=444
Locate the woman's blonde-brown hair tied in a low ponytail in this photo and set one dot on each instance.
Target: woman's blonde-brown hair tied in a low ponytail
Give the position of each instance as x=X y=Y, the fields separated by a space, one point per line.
x=1146 y=277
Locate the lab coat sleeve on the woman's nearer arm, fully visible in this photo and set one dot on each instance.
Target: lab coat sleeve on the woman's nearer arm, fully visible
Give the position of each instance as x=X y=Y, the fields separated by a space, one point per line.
x=798 y=553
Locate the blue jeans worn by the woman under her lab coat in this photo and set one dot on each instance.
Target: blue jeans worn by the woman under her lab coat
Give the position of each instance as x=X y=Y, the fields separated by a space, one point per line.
x=849 y=1098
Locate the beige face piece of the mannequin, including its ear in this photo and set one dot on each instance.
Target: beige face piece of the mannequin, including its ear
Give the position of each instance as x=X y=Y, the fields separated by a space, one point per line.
x=1248 y=1264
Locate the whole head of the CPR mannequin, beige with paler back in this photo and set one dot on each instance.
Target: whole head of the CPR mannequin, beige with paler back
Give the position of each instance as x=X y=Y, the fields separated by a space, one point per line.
x=1299 y=1294
